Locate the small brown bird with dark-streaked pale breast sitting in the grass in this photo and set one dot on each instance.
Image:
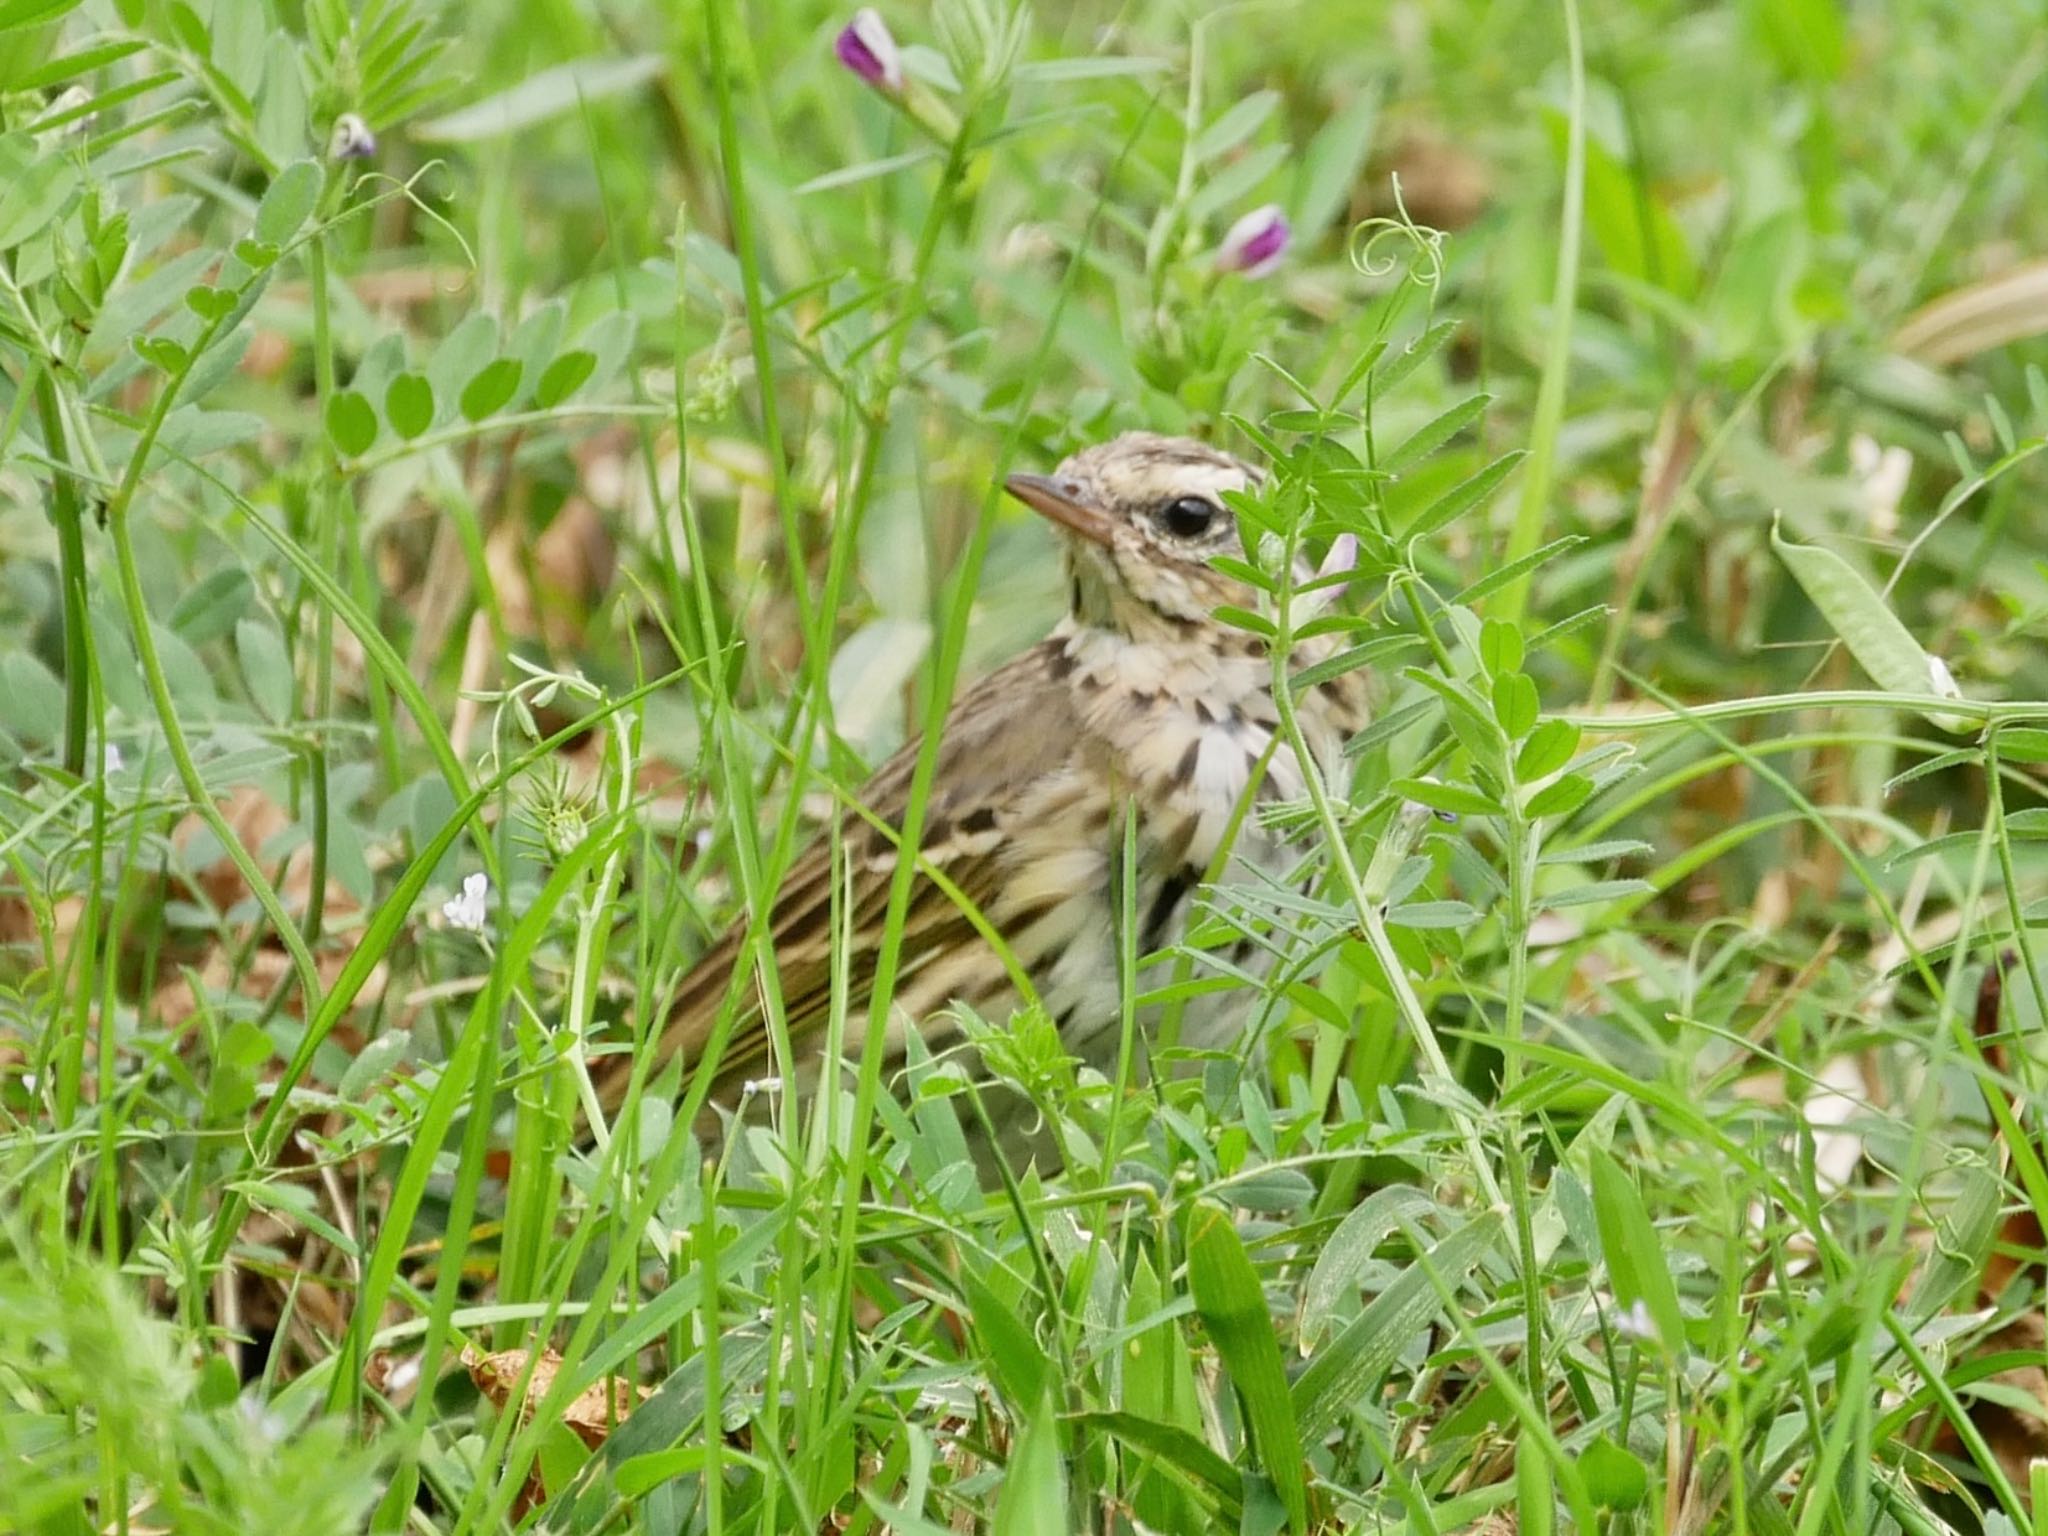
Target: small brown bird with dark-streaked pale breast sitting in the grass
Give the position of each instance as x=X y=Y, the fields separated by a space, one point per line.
x=1140 y=697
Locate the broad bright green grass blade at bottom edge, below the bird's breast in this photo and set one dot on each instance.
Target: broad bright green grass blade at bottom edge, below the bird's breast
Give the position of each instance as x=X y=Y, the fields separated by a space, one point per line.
x=1232 y=1306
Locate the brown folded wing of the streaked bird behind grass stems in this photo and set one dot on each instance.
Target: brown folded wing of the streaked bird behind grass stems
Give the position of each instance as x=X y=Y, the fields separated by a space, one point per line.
x=1009 y=730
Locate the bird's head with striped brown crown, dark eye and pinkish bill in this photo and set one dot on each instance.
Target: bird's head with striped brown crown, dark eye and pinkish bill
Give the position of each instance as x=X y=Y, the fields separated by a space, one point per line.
x=1144 y=515
